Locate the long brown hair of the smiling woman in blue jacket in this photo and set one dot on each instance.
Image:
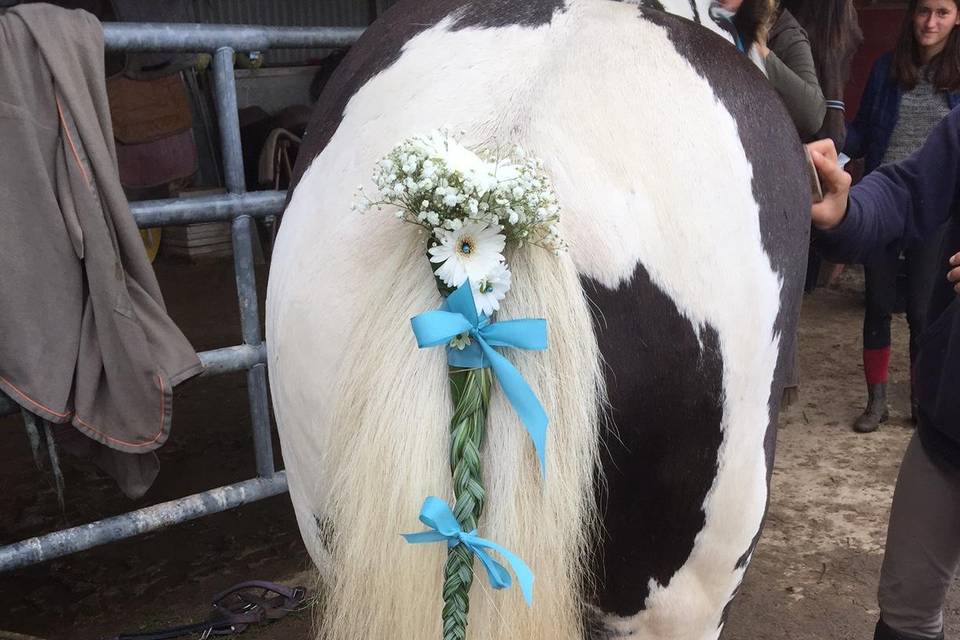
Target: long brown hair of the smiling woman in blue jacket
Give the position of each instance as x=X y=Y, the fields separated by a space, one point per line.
x=944 y=68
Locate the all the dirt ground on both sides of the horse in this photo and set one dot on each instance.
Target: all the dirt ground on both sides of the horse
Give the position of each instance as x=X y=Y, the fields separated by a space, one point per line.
x=813 y=576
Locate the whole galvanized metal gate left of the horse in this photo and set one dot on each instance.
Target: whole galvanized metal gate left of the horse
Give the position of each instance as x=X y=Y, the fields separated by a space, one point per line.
x=236 y=206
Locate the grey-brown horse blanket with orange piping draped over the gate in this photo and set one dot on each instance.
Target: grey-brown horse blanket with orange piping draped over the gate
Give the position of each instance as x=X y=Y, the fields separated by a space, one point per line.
x=84 y=334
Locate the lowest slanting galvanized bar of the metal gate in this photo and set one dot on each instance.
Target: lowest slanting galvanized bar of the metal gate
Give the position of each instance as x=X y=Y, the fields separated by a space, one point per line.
x=127 y=525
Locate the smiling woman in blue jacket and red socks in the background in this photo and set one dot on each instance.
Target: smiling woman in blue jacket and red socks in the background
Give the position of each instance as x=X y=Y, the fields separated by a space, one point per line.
x=910 y=89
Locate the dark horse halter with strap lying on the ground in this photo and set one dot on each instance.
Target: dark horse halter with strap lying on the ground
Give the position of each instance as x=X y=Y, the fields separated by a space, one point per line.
x=242 y=605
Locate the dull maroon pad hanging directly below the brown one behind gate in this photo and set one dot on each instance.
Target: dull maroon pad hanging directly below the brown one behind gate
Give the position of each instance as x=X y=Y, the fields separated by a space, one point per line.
x=151 y=164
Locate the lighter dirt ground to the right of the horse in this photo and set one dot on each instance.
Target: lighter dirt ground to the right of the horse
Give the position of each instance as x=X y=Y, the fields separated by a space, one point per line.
x=814 y=574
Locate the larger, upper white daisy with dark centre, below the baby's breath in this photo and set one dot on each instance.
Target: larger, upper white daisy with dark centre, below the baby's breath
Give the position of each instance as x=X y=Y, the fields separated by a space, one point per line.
x=472 y=251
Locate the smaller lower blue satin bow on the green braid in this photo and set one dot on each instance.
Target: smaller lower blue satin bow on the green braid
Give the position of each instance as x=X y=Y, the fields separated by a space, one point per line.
x=437 y=515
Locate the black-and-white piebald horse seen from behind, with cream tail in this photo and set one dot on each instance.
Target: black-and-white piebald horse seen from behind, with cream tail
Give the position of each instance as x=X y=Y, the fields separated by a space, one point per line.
x=686 y=208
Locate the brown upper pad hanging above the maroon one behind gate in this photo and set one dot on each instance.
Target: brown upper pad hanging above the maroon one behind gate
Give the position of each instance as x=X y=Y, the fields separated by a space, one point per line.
x=148 y=110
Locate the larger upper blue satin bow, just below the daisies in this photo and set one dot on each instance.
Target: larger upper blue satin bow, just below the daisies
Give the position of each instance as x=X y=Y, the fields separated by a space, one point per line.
x=435 y=328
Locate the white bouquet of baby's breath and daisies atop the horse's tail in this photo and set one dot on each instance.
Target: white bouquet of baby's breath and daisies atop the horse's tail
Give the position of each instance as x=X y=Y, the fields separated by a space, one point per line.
x=473 y=203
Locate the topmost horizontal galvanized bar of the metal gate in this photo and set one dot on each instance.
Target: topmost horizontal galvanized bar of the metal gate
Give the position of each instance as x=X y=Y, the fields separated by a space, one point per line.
x=126 y=36
